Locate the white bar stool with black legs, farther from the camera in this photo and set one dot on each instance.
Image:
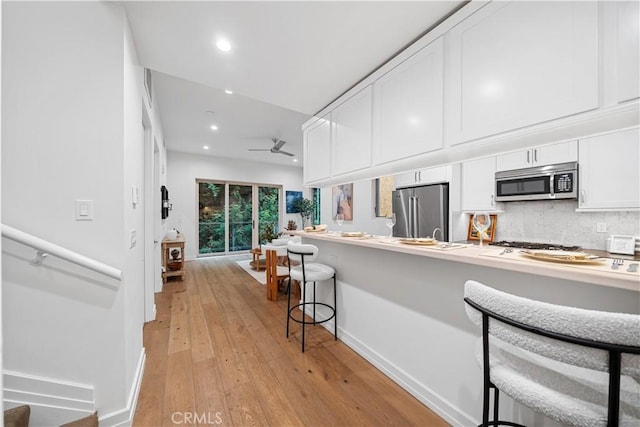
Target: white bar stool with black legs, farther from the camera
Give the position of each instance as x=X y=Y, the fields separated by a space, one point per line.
x=307 y=271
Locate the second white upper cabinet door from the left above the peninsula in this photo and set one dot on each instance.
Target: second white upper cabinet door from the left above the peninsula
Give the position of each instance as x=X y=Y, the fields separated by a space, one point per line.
x=352 y=133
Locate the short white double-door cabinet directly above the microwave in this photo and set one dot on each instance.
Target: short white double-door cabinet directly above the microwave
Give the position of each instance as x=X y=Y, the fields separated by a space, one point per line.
x=539 y=156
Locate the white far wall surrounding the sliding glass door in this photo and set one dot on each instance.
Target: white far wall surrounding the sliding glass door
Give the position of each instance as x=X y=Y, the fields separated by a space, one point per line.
x=183 y=170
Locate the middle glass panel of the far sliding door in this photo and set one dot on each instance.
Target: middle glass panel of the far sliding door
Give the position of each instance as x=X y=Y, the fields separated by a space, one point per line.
x=240 y=217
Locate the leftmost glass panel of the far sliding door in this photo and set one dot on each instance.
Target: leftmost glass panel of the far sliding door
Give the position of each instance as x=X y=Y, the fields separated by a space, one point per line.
x=211 y=218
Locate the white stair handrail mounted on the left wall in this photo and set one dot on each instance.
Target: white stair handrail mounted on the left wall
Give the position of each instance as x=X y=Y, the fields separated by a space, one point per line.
x=45 y=248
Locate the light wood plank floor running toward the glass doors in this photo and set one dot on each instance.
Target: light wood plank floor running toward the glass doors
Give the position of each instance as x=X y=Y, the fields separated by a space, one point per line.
x=217 y=355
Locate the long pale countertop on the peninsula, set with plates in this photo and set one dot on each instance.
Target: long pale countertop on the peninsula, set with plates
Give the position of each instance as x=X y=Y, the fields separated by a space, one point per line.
x=490 y=256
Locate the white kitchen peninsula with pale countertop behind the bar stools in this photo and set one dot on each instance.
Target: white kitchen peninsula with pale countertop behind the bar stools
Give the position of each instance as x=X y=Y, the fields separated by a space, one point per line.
x=401 y=307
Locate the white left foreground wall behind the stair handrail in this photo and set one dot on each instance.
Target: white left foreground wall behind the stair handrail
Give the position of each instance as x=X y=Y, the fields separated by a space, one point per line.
x=71 y=120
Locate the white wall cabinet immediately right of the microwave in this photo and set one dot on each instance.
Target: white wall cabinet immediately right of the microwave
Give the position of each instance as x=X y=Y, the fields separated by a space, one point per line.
x=609 y=172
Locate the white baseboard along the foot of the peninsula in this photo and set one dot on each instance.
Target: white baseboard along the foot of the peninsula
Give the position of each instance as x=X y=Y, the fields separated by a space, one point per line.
x=424 y=394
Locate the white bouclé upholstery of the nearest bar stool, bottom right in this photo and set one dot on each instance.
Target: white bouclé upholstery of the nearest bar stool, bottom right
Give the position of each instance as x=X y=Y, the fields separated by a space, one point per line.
x=566 y=382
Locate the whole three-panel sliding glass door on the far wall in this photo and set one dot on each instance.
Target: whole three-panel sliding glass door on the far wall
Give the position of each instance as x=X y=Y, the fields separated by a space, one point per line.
x=235 y=217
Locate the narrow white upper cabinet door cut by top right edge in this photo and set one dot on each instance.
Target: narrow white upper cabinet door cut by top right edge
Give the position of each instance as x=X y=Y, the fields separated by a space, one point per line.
x=628 y=50
